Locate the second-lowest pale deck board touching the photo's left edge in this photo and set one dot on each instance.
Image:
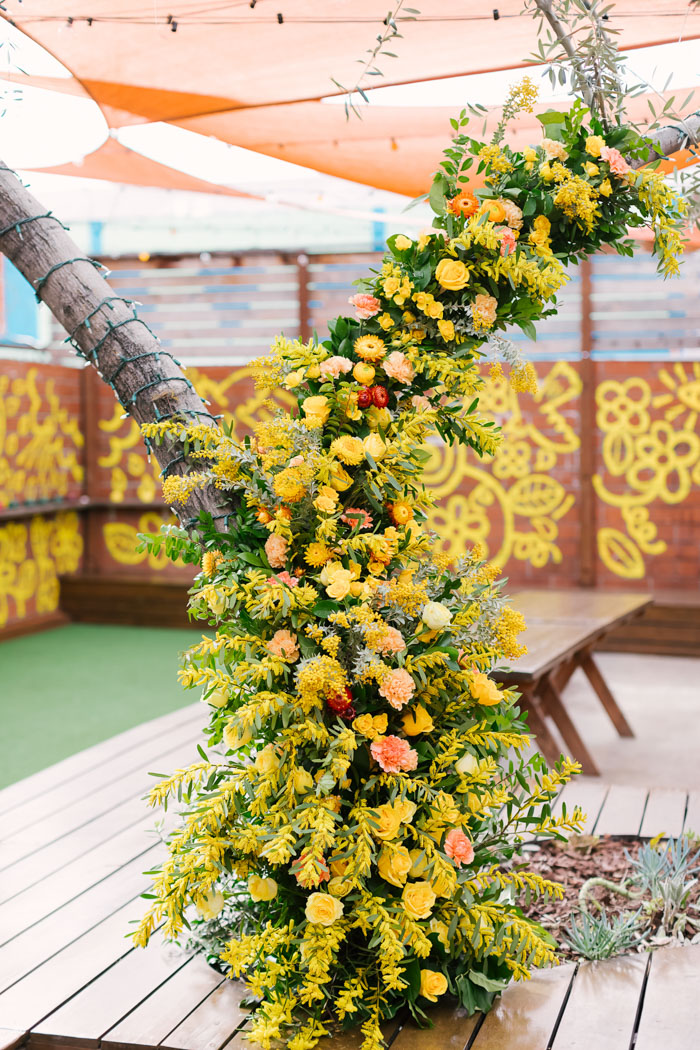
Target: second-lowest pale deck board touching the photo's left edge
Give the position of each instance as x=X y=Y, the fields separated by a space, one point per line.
x=52 y=935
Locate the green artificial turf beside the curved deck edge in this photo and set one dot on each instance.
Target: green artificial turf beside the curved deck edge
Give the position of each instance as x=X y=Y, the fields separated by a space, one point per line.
x=72 y=687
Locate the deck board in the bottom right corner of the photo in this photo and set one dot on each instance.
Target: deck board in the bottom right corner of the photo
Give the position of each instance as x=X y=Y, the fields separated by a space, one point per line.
x=670 y=1015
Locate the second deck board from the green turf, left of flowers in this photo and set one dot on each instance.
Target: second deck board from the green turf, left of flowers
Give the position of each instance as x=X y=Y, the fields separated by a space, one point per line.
x=108 y=774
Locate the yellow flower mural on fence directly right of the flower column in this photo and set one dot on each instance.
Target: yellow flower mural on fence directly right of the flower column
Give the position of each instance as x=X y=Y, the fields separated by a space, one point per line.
x=512 y=505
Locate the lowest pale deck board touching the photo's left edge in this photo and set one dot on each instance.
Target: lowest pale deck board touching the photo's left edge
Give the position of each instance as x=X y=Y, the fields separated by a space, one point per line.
x=52 y=983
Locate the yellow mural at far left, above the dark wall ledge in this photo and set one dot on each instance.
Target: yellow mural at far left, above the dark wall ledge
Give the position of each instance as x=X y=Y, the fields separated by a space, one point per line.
x=40 y=442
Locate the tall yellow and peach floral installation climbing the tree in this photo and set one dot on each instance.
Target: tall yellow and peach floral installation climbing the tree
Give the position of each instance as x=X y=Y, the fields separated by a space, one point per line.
x=345 y=845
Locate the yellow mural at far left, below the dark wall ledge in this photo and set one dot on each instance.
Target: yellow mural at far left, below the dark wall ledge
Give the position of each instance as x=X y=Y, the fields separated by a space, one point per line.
x=32 y=558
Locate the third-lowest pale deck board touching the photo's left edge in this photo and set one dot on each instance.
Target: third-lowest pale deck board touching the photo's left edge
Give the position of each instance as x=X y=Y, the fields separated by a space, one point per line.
x=75 y=879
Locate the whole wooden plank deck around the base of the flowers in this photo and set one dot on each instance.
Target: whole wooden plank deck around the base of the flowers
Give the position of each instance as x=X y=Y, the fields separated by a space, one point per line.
x=76 y=839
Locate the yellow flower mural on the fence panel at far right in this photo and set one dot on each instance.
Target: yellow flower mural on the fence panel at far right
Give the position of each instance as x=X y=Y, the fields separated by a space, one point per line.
x=651 y=455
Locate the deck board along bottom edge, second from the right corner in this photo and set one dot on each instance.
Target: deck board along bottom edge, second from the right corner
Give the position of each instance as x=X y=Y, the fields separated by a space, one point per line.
x=603 y=1006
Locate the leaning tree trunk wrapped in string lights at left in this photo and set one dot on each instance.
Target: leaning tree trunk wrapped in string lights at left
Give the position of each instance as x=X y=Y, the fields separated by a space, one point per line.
x=104 y=329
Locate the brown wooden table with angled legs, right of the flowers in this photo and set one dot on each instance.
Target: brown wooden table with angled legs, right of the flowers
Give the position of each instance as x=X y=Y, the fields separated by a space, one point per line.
x=564 y=627
